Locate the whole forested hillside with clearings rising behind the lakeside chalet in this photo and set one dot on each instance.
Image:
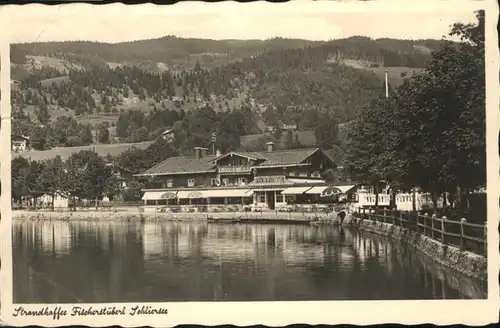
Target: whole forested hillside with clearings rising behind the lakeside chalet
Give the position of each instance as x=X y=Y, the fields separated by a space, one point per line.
x=78 y=93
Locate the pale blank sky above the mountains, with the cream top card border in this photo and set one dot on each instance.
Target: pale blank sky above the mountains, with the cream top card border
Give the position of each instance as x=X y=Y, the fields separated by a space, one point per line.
x=322 y=20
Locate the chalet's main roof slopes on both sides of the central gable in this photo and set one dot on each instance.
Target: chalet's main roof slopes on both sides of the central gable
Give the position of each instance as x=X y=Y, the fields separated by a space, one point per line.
x=190 y=164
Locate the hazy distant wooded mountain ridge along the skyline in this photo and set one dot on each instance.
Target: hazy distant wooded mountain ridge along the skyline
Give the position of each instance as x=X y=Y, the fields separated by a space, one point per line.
x=173 y=50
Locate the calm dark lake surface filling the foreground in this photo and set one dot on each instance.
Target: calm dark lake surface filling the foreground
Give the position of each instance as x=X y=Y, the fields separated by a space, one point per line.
x=68 y=262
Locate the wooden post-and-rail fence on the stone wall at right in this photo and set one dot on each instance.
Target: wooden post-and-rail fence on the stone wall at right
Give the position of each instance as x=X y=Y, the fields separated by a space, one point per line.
x=460 y=233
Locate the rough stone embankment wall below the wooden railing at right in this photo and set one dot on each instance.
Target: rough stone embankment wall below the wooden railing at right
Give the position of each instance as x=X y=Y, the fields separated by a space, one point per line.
x=467 y=263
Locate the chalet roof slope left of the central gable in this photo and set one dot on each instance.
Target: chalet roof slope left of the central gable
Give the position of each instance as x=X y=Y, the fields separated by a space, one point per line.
x=183 y=165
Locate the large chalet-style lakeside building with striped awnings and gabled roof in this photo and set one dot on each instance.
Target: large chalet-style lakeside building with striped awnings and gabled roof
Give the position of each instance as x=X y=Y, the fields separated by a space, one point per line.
x=264 y=180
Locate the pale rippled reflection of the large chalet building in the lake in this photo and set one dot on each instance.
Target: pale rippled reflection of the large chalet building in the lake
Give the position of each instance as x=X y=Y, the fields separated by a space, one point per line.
x=291 y=244
